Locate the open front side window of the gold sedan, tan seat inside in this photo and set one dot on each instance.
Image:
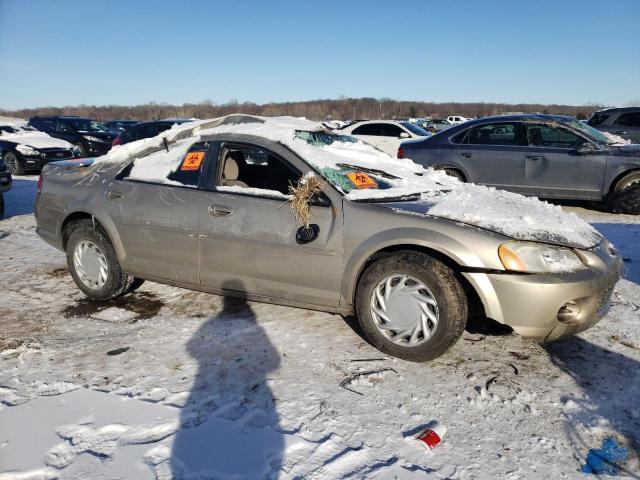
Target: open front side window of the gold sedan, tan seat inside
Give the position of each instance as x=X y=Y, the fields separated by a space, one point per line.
x=251 y=167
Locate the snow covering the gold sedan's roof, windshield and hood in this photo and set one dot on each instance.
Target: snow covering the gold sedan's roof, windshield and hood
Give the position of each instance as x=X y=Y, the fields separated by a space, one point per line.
x=504 y=212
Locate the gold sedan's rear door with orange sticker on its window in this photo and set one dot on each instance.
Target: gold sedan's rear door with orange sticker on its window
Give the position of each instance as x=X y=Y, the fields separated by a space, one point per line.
x=158 y=222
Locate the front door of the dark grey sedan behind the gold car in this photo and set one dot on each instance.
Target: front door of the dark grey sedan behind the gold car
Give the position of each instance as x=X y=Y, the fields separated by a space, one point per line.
x=555 y=167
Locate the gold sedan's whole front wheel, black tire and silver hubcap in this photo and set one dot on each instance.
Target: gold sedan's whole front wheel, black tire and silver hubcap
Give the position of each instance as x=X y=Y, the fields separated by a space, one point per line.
x=411 y=306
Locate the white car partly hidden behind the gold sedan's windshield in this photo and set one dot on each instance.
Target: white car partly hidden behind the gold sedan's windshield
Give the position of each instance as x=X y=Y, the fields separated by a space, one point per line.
x=387 y=135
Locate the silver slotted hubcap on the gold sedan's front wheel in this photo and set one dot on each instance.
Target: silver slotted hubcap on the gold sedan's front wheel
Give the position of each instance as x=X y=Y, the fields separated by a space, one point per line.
x=404 y=310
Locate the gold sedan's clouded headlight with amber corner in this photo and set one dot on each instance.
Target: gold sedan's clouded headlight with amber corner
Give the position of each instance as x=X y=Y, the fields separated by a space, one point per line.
x=533 y=257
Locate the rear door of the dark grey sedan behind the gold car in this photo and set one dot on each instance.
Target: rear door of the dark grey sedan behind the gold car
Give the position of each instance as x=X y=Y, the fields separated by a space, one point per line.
x=492 y=154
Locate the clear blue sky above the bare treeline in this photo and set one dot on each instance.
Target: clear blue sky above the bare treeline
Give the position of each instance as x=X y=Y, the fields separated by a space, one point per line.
x=56 y=52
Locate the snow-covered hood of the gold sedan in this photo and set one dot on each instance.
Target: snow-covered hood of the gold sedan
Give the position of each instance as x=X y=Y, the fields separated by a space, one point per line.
x=509 y=214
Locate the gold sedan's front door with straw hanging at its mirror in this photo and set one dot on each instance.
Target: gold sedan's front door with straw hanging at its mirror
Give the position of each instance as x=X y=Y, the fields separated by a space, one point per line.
x=248 y=232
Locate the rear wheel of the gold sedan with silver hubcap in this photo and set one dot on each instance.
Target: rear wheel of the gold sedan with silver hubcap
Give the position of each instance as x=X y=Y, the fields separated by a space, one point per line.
x=82 y=236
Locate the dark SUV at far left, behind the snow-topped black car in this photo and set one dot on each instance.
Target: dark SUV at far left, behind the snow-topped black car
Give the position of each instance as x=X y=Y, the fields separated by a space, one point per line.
x=90 y=137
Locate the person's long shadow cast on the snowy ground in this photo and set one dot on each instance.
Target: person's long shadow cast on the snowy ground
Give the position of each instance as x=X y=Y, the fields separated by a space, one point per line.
x=229 y=426
